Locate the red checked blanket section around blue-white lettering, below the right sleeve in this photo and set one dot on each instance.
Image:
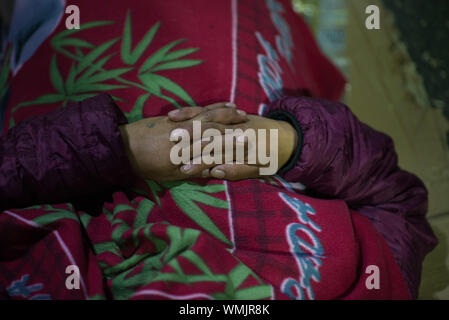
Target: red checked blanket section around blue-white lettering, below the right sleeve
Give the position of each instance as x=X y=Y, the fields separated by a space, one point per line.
x=350 y=244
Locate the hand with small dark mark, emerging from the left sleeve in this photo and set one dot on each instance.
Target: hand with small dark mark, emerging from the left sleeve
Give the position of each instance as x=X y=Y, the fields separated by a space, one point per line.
x=148 y=144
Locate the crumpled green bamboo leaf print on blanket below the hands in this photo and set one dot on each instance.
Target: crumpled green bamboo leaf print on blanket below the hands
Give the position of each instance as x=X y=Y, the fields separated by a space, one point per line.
x=172 y=246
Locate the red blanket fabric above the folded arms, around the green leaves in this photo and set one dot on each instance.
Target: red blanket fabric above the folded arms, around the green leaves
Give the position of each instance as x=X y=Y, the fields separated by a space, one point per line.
x=204 y=24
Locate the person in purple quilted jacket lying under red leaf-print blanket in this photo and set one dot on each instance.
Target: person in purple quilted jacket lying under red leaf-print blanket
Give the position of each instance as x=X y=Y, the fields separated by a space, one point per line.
x=92 y=207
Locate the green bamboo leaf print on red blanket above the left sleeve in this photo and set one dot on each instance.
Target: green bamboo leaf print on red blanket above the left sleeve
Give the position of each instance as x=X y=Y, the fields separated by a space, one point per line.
x=88 y=75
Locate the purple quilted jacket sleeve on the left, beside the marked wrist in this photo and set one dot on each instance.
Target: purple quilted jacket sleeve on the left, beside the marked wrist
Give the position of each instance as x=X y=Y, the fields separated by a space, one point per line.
x=63 y=155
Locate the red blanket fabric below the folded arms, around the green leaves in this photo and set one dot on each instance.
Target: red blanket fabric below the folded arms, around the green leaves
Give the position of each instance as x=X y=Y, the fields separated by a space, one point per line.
x=258 y=223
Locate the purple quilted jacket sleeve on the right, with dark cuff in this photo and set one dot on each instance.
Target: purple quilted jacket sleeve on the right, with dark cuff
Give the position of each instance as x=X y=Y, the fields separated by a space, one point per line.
x=340 y=157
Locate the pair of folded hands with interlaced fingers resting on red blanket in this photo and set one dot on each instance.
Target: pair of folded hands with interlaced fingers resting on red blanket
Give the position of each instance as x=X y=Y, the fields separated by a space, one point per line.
x=148 y=143
